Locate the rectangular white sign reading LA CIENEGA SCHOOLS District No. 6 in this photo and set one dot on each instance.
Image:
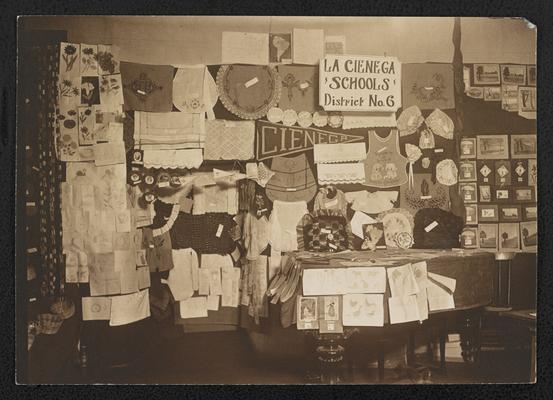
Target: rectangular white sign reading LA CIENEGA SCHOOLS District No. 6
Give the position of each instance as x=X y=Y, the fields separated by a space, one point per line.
x=360 y=83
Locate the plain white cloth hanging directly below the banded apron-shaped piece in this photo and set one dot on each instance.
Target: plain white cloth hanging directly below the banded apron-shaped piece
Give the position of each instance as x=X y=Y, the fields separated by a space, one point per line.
x=284 y=219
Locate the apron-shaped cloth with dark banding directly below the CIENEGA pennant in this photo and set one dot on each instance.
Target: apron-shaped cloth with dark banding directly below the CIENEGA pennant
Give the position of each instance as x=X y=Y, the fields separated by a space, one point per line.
x=293 y=180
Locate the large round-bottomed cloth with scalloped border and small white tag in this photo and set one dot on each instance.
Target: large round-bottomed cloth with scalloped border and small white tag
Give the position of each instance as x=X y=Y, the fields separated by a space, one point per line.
x=248 y=91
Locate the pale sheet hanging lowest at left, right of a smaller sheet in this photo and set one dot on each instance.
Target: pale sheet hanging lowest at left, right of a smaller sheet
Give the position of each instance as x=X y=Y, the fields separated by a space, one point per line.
x=129 y=308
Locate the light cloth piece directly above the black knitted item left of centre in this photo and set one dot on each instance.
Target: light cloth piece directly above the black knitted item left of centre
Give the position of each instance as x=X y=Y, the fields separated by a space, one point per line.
x=214 y=197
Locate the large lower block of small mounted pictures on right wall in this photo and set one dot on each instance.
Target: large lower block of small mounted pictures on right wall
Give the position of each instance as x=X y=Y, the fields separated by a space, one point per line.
x=498 y=182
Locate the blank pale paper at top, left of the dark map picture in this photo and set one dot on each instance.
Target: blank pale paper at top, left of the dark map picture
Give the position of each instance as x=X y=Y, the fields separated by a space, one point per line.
x=245 y=48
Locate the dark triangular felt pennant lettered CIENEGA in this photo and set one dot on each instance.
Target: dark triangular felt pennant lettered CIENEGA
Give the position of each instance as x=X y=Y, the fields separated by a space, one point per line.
x=279 y=140
